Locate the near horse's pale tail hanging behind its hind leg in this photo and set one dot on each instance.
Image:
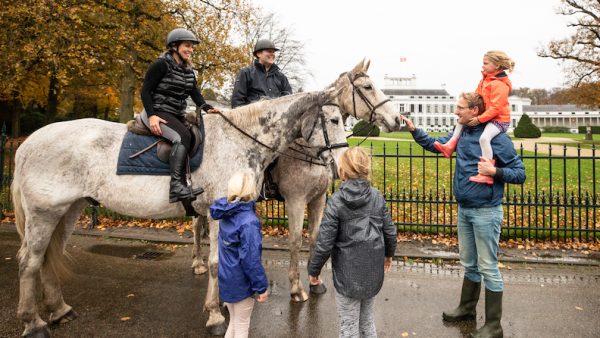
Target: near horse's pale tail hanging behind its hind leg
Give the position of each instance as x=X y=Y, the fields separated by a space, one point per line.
x=56 y=258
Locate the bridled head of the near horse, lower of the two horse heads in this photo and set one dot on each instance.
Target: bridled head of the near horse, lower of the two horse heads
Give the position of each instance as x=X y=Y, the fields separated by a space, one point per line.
x=323 y=128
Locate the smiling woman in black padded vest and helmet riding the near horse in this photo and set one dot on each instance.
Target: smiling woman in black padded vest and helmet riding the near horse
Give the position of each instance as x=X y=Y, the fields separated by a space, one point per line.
x=169 y=81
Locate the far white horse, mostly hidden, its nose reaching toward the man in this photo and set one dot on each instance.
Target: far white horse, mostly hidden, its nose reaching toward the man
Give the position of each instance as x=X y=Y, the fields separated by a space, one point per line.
x=358 y=97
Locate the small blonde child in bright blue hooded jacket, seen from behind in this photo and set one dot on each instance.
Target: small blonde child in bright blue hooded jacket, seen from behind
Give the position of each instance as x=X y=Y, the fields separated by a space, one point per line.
x=241 y=274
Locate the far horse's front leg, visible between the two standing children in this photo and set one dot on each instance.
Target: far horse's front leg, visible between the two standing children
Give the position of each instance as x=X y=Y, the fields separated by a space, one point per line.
x=295 y=209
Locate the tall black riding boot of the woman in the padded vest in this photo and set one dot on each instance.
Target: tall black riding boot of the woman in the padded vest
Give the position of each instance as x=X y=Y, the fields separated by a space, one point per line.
x=179 y=189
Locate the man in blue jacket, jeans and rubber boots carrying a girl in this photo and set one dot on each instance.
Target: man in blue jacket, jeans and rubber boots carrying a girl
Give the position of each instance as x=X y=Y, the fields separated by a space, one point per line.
x=480 y=212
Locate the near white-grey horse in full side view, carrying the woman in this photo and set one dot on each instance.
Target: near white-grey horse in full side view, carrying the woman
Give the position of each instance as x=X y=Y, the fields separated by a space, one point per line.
x=63 y=166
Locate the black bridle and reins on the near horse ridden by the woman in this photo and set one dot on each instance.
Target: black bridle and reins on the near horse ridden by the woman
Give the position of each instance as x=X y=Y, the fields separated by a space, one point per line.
x=328 y=145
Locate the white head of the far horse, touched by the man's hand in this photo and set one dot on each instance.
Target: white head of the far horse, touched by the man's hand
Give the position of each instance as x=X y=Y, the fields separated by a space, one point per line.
x=359 y=97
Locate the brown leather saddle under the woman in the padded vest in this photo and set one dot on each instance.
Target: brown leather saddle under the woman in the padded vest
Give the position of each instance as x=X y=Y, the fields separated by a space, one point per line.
x=163 y=147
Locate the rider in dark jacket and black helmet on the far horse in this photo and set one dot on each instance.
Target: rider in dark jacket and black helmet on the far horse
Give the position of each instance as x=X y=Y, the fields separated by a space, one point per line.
x=261 y=79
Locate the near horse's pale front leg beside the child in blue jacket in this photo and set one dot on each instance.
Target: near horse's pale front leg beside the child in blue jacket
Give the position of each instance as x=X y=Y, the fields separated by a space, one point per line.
x=216 y=321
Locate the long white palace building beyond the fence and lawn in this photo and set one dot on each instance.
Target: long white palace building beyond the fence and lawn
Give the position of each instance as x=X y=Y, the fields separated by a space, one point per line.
x=433 y=109
